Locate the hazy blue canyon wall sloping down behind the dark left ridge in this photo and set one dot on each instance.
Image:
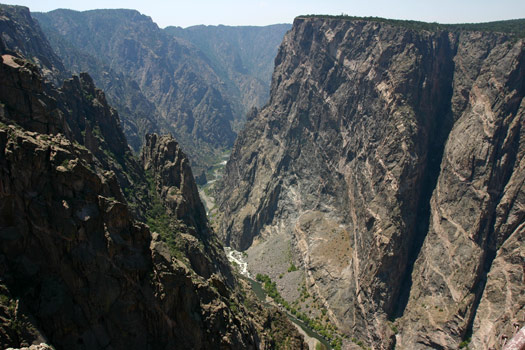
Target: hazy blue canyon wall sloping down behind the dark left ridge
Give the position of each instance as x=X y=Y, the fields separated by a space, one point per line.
x=171 y=74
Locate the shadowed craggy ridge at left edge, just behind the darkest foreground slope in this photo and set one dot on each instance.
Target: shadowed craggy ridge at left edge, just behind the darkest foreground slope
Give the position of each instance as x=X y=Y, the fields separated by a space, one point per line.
x=39 y=107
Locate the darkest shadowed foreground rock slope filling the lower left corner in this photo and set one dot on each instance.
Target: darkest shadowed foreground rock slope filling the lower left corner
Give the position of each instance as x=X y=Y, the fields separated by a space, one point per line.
x=91 y=276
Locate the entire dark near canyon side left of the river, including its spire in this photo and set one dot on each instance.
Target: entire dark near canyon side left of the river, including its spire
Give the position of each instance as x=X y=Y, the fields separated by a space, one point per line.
x=78 y=270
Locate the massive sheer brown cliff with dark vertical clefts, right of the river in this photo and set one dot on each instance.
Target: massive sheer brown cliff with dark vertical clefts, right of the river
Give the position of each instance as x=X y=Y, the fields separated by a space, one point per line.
x=392 y=159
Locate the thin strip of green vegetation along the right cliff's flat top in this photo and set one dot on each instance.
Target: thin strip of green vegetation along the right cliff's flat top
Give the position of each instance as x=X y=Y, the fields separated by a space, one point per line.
x=514 y=27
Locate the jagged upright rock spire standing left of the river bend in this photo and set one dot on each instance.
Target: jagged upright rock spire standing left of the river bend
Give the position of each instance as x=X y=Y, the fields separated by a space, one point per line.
x=172 y=179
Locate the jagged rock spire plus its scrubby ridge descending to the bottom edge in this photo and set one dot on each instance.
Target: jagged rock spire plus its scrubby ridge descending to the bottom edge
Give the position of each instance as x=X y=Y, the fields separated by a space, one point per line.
x=164 y=160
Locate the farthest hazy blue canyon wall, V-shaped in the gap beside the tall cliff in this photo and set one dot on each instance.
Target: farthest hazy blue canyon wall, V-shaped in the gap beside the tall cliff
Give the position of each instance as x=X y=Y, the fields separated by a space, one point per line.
x=242 y=56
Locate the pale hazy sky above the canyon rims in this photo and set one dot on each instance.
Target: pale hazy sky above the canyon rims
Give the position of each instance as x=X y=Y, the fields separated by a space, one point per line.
x=263 y=12
